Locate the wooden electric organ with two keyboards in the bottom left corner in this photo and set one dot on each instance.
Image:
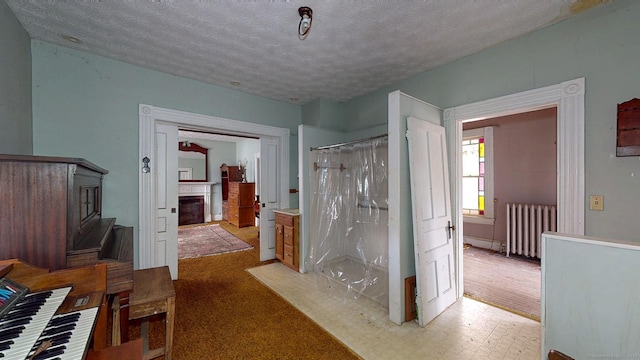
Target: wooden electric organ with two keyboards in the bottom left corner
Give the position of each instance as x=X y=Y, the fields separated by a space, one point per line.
x=74 y=290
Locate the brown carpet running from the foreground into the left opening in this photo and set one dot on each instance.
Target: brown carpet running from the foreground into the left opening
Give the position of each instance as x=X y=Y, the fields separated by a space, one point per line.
x=222 y=312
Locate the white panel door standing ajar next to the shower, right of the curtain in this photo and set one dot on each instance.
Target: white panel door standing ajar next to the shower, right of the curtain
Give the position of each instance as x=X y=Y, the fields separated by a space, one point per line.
x=433 y=239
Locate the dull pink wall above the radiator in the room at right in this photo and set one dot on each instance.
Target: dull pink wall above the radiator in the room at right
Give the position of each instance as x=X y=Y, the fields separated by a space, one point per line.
x=524 y=147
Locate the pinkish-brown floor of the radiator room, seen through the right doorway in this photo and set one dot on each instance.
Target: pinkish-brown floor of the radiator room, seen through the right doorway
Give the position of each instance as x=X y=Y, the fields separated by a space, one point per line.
x=511 y=283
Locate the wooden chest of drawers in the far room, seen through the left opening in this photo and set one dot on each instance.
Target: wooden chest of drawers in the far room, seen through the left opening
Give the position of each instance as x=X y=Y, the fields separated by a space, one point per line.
x=240 y=205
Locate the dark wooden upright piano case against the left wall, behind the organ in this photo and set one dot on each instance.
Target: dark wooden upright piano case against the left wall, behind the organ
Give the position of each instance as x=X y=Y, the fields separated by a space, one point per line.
x=51 y=210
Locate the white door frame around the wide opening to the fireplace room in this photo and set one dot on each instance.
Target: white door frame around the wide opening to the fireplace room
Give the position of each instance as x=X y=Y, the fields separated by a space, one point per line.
x=148 y=116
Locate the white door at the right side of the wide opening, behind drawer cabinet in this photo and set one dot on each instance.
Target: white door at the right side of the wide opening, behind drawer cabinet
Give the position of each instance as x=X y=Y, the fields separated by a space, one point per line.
x=269 y=197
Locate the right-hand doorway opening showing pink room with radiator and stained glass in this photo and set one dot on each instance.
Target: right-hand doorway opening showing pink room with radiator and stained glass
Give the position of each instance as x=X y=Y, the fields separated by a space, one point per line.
x=515 y=164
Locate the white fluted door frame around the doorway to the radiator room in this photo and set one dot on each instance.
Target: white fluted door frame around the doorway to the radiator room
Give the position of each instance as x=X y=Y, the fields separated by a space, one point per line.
x=568 y=98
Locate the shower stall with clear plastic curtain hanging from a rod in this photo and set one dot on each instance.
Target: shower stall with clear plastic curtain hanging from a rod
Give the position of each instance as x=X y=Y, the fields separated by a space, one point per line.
x=349 y=242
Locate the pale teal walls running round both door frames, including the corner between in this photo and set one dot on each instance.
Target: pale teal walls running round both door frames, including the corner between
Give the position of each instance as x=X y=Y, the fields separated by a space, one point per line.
x=87 y=106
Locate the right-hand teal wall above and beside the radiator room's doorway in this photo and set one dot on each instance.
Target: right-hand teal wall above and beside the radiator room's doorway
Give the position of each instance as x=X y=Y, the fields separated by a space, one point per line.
x=602 y=46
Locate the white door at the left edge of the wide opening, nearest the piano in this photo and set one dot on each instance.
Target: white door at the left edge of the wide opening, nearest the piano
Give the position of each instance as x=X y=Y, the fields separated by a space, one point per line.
x=166 y=170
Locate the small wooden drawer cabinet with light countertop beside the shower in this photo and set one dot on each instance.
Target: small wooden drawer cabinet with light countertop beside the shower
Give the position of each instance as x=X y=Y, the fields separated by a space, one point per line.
x=287 y=242
